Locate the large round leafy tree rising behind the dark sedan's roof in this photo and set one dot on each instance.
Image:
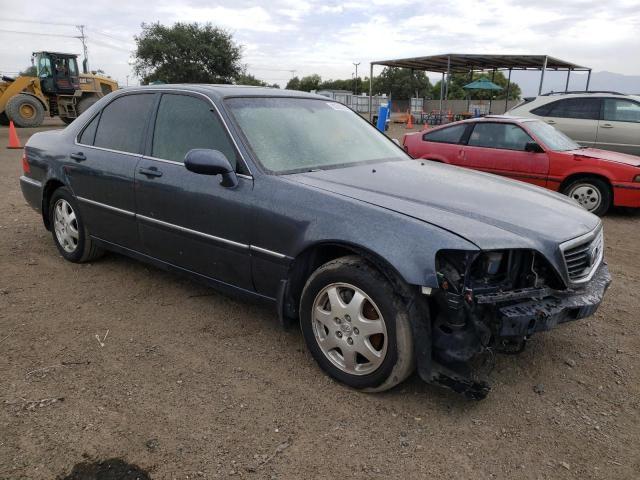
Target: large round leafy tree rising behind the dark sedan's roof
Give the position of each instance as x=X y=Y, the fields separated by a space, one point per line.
x=186 y=53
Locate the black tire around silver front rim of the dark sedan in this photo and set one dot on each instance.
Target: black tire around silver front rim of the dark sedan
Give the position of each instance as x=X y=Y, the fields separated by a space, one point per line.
x=398 y=360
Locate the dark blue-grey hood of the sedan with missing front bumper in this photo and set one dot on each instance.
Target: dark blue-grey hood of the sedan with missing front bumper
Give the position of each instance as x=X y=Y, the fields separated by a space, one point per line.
x=487 y=210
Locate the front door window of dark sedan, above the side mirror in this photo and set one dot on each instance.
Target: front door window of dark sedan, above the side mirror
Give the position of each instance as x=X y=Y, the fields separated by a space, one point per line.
x=185 y=122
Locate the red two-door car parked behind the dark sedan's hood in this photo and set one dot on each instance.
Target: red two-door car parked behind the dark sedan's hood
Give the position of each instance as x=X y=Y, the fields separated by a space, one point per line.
x=535 y=152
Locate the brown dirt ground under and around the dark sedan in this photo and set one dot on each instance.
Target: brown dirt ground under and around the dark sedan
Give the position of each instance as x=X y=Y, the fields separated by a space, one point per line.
x=118 y=360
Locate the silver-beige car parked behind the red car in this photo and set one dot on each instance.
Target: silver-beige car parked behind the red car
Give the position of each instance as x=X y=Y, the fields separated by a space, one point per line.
x=606 y=120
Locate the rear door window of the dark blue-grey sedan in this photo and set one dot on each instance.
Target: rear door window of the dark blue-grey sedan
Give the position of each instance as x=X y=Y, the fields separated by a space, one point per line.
x=122 y=123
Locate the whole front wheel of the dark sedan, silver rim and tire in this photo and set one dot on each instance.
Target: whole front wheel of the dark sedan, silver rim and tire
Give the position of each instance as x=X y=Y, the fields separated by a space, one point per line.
x=356 y=326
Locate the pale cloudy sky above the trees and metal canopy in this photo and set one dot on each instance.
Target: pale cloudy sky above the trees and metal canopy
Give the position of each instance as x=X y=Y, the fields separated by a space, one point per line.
x=281 y=38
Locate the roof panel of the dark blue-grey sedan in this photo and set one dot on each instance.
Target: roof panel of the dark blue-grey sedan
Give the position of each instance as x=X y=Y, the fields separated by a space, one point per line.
x=223 y=91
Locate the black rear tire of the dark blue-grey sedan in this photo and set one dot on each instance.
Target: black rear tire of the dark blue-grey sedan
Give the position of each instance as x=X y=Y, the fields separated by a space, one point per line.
x=85 y=248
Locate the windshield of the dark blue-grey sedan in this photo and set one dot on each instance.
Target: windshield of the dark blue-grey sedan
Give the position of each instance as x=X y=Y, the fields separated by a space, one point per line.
x=291 y=135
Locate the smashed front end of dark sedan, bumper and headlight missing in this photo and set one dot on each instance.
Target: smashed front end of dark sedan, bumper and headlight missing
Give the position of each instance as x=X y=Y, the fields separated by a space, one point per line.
x=493 y=301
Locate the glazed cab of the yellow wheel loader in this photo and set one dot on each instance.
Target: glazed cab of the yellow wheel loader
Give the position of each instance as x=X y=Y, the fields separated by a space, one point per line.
x=58 y=72
